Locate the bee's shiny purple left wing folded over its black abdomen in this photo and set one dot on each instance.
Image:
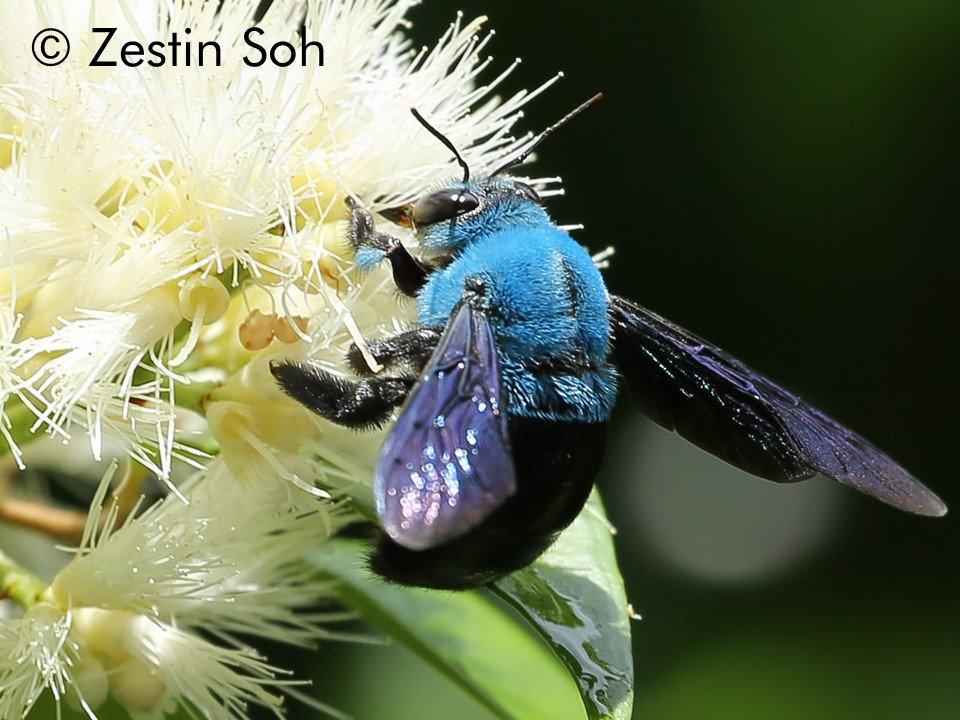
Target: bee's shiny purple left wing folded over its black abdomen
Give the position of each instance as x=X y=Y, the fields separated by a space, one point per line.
x=447 y=464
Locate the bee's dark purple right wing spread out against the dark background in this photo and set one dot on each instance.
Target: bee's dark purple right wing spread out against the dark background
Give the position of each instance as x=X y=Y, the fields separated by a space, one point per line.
x=722 y=406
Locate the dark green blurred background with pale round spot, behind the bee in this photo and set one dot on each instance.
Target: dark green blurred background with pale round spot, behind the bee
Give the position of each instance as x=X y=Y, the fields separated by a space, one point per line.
x=779 y=178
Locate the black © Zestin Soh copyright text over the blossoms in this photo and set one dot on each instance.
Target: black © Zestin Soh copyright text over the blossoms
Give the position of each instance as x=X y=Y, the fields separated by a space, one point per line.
x=51 y=47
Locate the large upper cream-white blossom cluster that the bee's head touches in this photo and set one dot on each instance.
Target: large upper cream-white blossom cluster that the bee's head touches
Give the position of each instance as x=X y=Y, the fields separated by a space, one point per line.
x=128 y=188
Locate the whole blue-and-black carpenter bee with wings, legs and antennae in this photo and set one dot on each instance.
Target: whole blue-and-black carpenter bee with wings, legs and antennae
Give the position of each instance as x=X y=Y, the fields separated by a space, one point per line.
x=507 y=381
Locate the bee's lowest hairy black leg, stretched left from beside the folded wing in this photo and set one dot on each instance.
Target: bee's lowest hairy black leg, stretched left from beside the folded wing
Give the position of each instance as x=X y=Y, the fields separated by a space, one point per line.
x=363 y=404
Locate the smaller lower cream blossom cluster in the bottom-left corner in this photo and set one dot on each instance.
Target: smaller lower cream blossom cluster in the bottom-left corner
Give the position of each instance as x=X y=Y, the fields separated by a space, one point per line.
x=122 y=617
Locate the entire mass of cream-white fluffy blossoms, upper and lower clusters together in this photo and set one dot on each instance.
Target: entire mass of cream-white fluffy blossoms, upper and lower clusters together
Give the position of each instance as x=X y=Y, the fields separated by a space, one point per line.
x=166 y=232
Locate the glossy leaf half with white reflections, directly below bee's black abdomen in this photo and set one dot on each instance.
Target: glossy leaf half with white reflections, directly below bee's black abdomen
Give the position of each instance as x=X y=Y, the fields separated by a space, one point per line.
x=574 y=597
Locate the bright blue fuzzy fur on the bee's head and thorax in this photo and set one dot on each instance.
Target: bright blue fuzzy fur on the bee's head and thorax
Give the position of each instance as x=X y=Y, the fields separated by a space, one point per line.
x=544 y=298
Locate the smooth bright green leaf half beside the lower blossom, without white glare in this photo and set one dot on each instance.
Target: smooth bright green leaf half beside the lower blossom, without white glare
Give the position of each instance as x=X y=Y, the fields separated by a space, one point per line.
x=475 y=642
